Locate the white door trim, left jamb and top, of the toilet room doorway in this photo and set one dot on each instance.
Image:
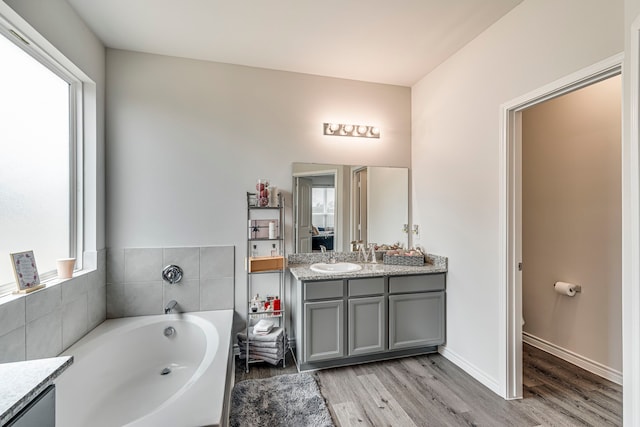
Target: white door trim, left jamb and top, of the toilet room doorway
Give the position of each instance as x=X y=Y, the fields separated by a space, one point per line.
x=510 y=214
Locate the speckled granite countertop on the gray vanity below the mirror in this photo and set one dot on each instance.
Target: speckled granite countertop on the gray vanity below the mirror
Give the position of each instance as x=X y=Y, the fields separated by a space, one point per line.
x=299 y=266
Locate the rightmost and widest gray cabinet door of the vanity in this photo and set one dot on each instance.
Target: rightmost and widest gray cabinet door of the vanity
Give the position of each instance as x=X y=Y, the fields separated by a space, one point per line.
x=416 y=320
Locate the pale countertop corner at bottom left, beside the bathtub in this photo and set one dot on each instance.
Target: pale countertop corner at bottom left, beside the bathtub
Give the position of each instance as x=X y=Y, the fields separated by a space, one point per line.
x=20 y=382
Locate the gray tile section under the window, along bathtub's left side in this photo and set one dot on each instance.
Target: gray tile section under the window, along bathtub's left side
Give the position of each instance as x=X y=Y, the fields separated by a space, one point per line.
x=44 y=323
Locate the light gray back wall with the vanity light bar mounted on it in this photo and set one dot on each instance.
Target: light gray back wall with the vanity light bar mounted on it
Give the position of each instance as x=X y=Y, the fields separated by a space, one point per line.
x=186 y=139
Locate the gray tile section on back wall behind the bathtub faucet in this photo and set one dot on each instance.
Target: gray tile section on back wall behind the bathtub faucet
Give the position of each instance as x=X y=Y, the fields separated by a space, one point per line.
x=135 y=286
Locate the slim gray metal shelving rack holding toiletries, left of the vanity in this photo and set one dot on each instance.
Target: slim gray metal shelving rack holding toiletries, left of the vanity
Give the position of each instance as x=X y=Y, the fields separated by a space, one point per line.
x=260 y=265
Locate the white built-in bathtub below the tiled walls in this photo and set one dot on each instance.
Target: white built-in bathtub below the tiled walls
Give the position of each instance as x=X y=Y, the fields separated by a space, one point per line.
x=116 y=380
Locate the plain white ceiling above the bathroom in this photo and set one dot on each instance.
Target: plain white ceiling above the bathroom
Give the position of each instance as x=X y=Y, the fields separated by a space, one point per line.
x=394 y=42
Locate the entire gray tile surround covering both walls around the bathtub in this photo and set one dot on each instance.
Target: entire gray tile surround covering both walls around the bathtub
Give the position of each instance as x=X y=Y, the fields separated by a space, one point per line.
x=44 y=323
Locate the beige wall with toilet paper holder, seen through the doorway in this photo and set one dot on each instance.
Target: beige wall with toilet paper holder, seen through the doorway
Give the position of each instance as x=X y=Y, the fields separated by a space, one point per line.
x=572 y=219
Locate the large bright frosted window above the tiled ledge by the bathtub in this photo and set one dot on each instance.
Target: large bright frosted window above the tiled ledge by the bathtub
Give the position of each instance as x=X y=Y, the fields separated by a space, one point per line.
x=38 y=166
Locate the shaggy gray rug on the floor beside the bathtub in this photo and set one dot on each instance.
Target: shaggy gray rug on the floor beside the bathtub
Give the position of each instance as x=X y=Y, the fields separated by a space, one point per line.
x=284 y=400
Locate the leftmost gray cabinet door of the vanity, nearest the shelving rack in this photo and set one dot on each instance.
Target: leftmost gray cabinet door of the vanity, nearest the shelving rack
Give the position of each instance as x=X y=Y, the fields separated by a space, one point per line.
x=323 y=330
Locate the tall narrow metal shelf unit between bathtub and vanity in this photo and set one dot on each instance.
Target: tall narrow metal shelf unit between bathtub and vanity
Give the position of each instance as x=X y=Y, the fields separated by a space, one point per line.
x=265 y=263
